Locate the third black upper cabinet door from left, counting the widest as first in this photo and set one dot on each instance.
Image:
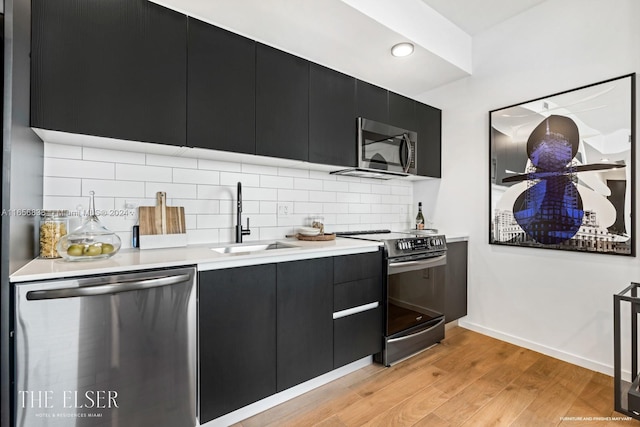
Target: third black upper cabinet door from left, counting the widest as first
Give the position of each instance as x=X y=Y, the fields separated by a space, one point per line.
x=282 y=104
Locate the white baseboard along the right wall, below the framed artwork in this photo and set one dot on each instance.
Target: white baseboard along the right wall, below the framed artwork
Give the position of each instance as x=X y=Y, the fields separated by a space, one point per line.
x=549 y=351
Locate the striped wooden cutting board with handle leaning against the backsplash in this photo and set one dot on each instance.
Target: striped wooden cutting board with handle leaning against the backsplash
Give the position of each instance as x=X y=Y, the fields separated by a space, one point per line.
x=161 y=219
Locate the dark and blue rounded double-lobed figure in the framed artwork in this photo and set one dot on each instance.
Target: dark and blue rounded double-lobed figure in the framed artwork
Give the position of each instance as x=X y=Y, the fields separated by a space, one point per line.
x=550 y=210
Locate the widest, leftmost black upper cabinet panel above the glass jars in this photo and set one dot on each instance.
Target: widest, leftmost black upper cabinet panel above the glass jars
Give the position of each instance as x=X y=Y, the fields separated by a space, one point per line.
x=112 y=68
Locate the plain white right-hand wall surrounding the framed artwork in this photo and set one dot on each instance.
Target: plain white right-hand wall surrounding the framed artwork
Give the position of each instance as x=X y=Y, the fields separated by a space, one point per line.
x=555 y=302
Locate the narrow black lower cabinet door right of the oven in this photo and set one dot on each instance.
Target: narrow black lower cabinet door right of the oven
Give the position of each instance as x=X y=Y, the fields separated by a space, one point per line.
x=456 y=281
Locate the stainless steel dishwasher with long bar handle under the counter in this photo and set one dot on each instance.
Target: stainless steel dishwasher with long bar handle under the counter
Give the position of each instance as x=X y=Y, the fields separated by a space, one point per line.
x=116 y=350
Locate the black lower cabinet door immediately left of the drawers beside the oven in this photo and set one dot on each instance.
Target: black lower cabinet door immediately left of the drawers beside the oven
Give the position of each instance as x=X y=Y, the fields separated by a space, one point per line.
x=305 y=320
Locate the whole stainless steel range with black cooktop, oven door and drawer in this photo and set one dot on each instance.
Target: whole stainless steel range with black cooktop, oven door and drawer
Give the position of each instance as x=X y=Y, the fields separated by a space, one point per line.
x=415 y=292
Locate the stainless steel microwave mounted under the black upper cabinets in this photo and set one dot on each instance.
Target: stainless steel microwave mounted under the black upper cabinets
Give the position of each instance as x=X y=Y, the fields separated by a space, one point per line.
x=384 y=151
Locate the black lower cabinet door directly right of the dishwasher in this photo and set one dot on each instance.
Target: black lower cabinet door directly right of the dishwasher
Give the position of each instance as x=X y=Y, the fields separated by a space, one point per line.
x=237 y=331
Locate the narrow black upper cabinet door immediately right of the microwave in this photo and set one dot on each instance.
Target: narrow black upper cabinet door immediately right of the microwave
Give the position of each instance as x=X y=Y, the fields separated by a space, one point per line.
x=429 y=140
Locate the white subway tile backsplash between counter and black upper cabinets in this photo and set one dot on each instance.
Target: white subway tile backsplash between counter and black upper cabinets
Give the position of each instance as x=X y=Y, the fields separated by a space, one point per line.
x=207 y=190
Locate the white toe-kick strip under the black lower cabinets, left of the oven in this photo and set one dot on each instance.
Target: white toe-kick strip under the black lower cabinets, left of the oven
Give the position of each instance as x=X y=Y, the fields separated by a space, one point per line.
x=283 y=396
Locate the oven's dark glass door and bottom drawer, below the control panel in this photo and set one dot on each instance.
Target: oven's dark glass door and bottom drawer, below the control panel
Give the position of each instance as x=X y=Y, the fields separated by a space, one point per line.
x=414 y=307
